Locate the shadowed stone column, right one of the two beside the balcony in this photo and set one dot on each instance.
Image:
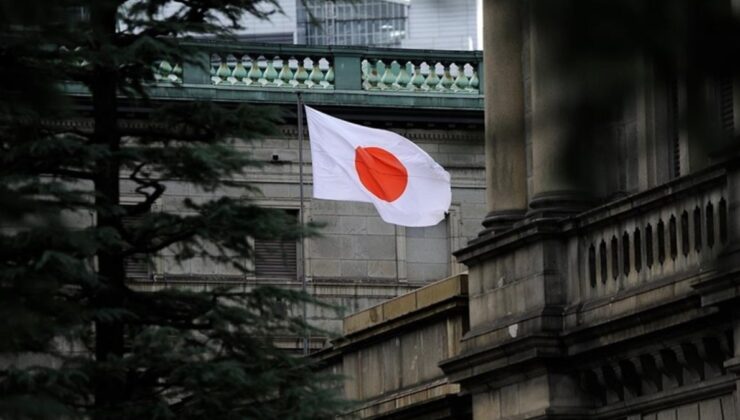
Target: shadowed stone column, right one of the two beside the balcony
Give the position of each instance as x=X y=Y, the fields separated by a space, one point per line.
x=554 y=89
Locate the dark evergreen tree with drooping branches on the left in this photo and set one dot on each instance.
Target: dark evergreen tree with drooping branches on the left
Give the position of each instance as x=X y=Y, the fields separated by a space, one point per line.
x=77 y=340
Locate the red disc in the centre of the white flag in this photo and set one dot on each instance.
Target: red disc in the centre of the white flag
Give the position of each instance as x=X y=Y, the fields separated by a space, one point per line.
x=381 y=172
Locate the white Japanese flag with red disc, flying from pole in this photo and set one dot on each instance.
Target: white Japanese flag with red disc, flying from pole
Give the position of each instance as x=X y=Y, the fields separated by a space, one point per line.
x=356 y=163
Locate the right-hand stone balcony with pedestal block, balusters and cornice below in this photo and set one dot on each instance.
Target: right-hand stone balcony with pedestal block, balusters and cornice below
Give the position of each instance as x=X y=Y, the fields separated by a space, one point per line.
x=624 y=304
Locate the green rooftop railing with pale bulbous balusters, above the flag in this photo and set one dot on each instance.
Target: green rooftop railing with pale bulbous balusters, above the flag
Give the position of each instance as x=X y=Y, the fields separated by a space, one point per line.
x=267 y=66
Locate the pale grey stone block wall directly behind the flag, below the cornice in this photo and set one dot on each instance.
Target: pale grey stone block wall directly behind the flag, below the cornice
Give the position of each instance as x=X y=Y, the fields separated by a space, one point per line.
x=358 y=260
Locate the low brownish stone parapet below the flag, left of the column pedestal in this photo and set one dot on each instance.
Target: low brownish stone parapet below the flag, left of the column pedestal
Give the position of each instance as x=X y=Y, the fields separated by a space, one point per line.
x=389 y=353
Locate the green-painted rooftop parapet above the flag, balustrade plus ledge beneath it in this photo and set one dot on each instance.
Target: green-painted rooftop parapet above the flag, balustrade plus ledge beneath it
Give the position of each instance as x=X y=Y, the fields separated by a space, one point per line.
x=325 y=75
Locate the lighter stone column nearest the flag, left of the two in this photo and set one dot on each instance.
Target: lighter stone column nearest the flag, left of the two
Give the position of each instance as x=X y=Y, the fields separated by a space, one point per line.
x=506 y=177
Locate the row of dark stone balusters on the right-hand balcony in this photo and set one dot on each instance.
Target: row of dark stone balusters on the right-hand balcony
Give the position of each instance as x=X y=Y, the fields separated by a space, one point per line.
x=678 y=229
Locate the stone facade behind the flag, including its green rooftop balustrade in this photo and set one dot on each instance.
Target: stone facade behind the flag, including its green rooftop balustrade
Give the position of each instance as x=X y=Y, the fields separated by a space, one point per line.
x=357 y=260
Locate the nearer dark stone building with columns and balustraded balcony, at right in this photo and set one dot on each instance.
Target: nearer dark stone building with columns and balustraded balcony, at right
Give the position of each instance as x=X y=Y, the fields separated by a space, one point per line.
x=611 y=299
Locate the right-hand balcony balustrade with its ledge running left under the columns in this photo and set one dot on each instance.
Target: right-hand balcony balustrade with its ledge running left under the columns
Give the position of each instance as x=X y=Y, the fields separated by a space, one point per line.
x=676 y=230
